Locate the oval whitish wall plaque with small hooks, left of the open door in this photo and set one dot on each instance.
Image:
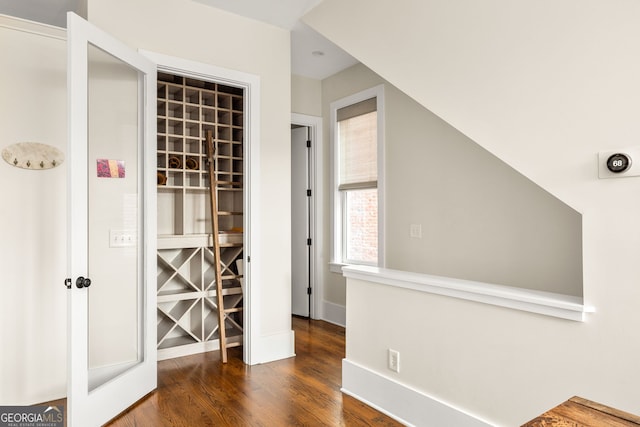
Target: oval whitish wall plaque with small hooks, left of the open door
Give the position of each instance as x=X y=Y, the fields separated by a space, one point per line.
x=30 y=155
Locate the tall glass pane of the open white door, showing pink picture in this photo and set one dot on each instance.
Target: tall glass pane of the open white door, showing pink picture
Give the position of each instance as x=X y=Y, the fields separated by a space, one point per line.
x=115 y=263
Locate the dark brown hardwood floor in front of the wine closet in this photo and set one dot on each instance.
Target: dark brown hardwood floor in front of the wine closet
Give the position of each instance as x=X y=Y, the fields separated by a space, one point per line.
x=301 y=391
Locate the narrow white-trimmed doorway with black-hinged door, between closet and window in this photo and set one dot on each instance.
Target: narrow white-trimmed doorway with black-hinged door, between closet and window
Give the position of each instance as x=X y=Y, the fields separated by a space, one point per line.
x=306 y=285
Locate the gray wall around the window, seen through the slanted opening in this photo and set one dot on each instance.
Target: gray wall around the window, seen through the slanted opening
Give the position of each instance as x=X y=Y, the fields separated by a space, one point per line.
x=481 y=220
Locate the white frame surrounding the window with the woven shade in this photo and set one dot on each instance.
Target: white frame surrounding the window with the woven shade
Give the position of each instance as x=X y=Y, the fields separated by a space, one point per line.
x=337 y=200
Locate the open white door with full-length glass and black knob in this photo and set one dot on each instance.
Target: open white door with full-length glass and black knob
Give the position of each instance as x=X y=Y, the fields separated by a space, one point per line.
x=112 y=229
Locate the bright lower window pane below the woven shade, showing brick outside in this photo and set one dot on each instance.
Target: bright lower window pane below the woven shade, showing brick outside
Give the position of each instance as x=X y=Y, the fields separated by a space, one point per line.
x=361 y=231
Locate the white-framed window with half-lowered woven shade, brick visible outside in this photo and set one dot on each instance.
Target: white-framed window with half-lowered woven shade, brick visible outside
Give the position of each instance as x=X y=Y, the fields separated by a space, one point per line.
x=357 y=134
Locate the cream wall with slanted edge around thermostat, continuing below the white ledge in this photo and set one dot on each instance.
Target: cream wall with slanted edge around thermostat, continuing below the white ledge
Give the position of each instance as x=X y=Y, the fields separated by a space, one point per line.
x=544 y=86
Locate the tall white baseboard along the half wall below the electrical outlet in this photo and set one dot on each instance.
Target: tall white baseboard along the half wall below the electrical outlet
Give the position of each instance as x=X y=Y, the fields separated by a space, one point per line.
x=402 y=403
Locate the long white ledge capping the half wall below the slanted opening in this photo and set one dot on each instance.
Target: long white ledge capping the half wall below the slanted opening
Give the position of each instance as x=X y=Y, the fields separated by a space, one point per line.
x=546 y=303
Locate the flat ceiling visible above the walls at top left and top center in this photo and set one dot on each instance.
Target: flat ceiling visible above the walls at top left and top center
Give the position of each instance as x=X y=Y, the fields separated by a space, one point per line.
x=311 y=54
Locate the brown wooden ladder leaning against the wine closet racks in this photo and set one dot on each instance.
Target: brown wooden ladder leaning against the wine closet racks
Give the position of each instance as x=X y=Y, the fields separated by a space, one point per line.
x=222 y=312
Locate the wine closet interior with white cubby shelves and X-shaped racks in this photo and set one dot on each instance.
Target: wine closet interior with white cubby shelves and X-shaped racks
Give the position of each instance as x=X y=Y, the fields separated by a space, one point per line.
x=187 y=310
